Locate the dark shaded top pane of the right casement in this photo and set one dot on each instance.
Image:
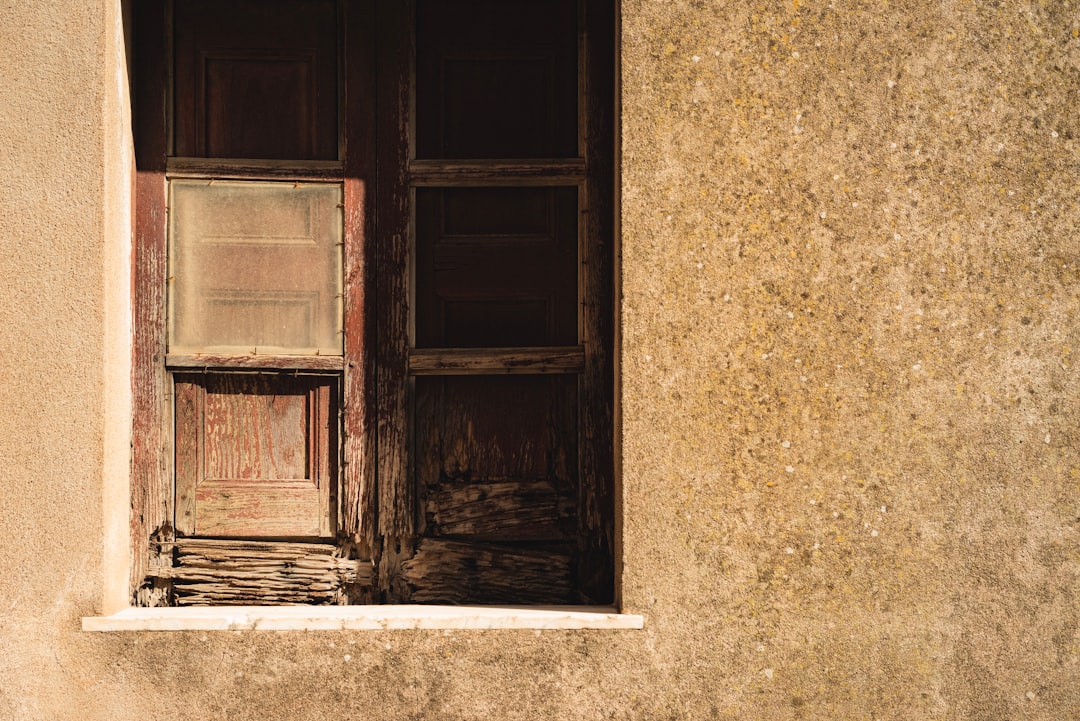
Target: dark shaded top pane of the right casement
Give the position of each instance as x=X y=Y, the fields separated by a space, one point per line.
x=496 y=79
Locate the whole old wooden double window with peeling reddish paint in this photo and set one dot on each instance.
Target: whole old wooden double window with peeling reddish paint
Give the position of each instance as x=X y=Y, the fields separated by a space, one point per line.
x=374 y=303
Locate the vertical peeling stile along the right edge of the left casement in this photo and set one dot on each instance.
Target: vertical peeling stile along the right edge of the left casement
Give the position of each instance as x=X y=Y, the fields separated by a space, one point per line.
x=359 y=400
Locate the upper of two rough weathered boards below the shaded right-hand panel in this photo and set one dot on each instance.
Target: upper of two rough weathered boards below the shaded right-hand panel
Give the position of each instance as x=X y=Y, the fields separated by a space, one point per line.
x=502 y=511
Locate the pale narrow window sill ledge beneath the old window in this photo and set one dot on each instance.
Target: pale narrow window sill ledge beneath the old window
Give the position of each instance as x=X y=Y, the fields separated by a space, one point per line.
x=362 y=618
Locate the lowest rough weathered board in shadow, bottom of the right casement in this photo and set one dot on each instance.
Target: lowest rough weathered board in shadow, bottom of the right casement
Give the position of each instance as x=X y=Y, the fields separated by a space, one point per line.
x=456 y=573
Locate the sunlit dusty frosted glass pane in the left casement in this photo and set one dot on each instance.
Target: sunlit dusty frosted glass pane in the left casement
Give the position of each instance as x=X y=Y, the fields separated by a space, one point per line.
x=255 y=267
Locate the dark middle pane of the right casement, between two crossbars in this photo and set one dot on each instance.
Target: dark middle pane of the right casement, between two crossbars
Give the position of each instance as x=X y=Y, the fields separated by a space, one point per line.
x=496 y=267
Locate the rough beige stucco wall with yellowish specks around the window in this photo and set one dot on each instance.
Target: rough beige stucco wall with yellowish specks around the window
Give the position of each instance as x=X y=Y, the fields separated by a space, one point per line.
x=850 y=419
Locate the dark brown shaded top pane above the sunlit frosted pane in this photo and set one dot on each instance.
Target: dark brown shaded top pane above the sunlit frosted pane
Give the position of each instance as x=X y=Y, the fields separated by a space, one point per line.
x=236 y=64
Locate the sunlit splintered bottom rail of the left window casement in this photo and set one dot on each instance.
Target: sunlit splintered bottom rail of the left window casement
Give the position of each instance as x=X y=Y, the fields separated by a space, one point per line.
x=272 y=574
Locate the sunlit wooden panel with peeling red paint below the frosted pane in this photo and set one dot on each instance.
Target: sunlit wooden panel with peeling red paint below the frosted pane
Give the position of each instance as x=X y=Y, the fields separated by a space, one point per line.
x=255 y=455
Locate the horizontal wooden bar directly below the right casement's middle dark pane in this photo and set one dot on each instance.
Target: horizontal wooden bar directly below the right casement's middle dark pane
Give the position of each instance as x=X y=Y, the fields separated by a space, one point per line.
x=488 y=361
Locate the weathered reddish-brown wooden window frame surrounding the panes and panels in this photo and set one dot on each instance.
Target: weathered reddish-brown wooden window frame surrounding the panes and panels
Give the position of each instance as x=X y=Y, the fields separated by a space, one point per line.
x=376 y=498
